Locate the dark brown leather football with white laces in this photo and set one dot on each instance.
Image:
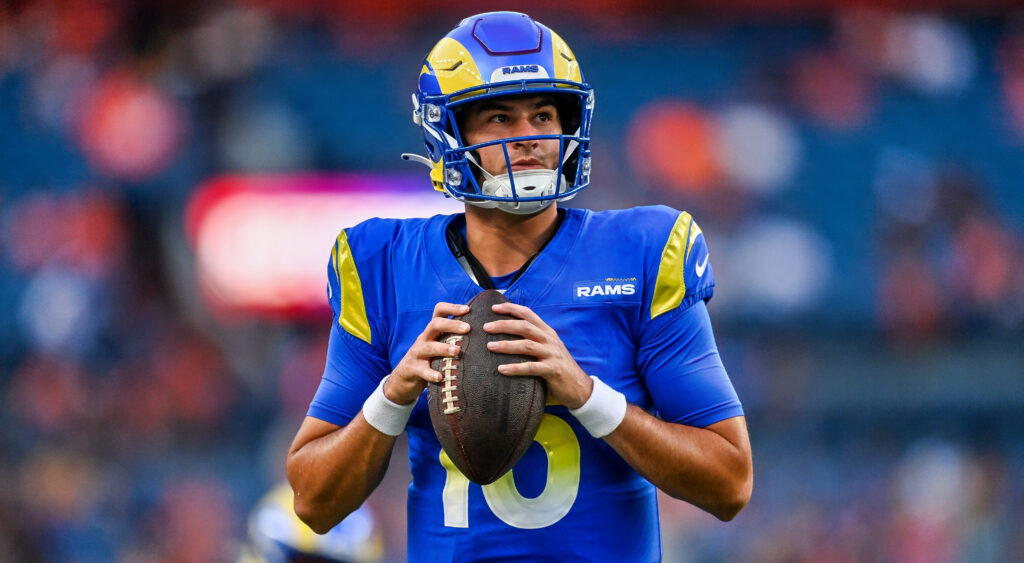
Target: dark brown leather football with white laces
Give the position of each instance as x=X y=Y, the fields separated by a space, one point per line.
x=485 y=421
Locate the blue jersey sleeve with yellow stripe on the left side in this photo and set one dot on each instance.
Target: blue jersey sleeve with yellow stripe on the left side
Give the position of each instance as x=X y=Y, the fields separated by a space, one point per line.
x=357 y=361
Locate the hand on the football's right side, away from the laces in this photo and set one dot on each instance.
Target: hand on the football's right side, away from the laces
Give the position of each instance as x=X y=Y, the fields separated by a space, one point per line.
x=568 y=383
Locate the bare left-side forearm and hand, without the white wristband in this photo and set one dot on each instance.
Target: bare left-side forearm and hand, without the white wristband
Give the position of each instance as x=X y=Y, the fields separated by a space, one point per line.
x=333 y=469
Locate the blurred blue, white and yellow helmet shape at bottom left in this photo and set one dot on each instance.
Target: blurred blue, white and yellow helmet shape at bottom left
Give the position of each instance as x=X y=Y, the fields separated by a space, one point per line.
x=277 y=535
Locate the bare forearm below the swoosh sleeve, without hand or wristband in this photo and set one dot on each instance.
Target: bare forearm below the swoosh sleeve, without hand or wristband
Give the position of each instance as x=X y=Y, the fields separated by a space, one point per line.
x=698 y=465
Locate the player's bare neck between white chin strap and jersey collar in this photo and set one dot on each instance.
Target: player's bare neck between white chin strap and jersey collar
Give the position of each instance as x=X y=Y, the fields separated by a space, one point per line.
x=503 y=242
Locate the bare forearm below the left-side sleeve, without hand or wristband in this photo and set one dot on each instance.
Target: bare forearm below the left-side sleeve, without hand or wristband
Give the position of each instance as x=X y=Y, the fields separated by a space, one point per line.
x=335 y=473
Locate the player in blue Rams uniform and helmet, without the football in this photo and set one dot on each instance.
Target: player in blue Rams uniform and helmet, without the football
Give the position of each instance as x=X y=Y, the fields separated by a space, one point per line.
x=612 y=305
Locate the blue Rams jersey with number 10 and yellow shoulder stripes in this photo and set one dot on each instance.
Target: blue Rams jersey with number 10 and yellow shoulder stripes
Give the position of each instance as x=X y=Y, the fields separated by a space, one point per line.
x=625 y=291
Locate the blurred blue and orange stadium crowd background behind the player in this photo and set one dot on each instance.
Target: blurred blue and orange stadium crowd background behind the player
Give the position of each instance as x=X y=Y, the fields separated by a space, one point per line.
x=175 y=172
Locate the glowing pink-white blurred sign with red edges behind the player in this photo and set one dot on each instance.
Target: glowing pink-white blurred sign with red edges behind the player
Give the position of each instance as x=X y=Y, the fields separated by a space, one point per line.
x=263 y=243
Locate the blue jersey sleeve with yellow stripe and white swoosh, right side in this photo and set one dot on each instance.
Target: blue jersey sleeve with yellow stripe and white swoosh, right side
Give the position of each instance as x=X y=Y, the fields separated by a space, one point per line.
x=677 y=354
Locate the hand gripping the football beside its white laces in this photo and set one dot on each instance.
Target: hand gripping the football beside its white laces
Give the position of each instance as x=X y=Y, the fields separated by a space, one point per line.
x=410 y=378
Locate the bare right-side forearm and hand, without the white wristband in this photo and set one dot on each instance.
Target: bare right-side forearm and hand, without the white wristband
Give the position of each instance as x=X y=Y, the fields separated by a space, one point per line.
x=710 y=467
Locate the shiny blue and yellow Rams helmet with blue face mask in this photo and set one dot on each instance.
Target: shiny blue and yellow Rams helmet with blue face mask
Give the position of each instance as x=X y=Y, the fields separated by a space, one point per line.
x=495 y=55
